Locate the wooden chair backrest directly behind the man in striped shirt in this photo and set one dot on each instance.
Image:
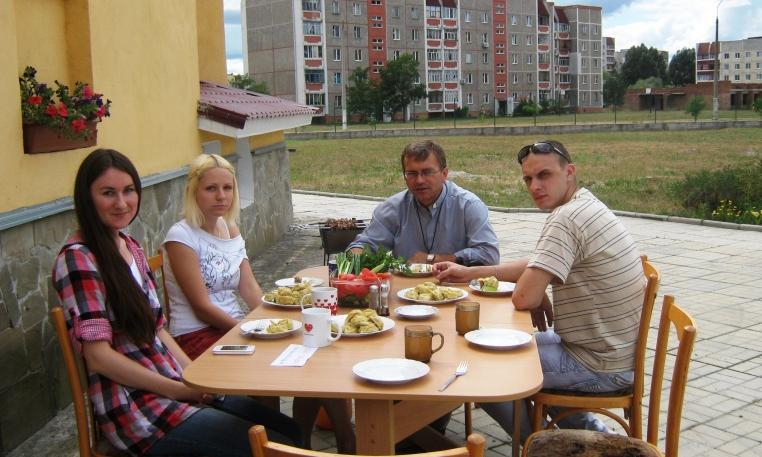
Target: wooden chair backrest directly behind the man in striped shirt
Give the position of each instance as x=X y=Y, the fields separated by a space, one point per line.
x=653 y=278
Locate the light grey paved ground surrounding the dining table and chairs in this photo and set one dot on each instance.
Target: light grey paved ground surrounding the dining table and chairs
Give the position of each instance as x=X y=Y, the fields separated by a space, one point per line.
x=714 y=273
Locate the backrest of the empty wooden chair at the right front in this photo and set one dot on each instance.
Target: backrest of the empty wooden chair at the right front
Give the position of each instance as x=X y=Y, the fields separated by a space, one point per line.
x=685 y=328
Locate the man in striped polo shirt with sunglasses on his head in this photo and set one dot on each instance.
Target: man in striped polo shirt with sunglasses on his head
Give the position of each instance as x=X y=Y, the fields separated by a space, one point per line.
x=590 y=260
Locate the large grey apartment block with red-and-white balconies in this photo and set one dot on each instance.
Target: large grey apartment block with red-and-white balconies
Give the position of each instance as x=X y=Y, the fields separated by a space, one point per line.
x=486 y=55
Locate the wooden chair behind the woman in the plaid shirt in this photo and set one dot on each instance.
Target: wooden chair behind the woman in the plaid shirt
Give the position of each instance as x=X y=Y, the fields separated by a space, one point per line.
x=90 y=443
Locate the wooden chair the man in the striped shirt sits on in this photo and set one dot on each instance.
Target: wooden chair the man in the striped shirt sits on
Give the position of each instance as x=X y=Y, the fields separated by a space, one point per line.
x=628 y=399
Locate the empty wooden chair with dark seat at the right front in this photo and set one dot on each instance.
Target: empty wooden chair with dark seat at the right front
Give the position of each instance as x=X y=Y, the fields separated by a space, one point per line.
x=558 y=443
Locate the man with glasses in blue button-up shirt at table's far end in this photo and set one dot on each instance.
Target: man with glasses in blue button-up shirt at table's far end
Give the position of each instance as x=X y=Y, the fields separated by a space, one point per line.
x=434 y=219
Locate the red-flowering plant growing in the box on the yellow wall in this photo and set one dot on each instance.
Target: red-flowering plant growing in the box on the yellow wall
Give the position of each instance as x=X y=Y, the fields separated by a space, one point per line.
x=63 y=109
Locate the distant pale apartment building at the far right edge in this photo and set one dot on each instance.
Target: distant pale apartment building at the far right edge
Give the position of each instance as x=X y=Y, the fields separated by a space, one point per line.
x=740 y=61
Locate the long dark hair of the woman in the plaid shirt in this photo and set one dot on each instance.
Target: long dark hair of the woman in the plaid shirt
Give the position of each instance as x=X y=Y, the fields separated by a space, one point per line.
x=129 y=304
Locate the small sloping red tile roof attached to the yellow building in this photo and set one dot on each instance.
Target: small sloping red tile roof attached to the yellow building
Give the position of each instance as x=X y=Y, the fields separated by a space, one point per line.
x=233 y=107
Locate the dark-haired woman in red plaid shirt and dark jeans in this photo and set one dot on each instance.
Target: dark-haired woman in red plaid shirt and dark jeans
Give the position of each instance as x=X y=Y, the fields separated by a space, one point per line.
x=115 y=321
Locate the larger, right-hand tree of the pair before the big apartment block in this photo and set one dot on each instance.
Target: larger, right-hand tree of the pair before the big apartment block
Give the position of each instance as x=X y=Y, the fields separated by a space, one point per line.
x=398 y=86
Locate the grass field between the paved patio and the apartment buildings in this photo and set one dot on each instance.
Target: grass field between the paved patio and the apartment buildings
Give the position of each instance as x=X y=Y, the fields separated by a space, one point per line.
x=628 y=171
